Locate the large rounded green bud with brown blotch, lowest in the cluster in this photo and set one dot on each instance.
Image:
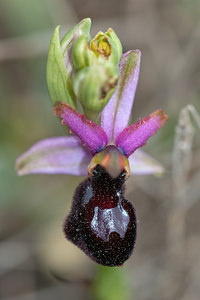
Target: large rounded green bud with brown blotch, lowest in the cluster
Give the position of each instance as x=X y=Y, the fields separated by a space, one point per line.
x=94 y=85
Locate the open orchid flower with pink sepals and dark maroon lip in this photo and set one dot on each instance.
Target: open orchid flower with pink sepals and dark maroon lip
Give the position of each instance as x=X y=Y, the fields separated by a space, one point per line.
x=102 y=222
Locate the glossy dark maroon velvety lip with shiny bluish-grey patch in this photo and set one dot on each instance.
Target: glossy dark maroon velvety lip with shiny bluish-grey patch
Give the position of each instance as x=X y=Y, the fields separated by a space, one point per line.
x=102 y=222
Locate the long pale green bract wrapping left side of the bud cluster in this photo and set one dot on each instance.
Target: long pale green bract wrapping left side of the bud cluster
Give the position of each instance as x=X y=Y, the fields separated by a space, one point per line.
x=59 y=63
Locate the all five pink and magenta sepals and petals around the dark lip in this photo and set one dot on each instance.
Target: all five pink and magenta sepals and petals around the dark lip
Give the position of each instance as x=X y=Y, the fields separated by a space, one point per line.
x=72 y=154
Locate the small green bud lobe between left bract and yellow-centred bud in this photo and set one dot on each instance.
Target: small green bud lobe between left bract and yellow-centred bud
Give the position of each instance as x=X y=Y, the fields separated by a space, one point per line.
x=82 y=56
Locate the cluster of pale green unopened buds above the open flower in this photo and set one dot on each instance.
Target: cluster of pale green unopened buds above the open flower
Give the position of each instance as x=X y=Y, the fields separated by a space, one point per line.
x=83 y=69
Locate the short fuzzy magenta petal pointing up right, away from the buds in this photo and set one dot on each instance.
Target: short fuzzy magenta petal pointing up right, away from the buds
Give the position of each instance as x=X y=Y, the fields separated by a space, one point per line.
x=136 y=135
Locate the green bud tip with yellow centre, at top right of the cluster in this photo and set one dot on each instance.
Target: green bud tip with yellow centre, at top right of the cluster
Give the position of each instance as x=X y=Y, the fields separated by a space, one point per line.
x=107 y=46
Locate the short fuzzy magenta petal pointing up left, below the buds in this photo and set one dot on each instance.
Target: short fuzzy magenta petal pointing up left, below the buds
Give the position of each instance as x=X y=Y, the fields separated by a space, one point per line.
x=91 y=134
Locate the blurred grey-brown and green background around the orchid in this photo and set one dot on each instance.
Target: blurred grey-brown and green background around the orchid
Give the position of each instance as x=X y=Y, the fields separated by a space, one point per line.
x=36 y=262
